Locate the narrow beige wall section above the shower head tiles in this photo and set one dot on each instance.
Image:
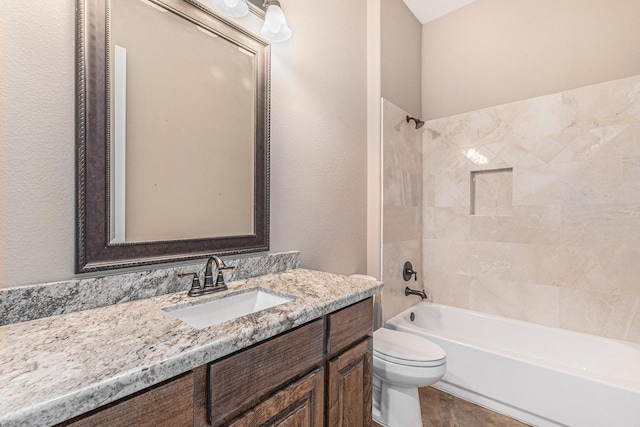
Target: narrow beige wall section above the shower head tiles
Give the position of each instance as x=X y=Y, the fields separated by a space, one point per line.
x=401 y=54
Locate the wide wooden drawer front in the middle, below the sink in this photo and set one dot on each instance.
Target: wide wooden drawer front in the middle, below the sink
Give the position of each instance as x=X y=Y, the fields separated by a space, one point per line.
x=241 y=380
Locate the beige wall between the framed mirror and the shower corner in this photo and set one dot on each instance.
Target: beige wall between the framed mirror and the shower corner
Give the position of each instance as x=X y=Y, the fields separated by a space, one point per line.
x=319 y=136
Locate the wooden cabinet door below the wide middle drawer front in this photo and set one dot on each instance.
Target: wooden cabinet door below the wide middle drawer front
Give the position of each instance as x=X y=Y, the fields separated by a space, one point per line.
x=297 y=405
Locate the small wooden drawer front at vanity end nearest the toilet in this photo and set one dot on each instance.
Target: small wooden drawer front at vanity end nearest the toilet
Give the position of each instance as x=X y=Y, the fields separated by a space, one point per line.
x=349 y=326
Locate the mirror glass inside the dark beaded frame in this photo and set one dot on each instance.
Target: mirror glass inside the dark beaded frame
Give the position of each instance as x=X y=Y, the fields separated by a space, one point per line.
x=182 y=128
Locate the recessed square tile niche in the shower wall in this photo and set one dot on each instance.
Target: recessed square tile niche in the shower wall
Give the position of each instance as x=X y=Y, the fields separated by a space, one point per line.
x=492 y=192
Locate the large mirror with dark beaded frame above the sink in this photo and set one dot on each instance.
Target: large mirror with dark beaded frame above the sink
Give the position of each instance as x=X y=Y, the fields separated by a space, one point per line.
x=172 y=134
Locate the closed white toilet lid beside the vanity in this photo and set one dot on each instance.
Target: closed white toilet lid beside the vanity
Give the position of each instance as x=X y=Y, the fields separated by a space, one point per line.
x=406 y=349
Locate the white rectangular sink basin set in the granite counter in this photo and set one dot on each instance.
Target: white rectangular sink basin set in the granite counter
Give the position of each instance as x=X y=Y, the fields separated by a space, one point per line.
x=220 y=310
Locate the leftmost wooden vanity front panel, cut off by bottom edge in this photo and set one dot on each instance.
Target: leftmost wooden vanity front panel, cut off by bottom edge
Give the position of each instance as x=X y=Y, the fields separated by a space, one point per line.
x=168 y=404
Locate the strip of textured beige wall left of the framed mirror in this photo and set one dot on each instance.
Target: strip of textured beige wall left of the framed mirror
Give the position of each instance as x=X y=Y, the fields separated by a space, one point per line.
x=37 y=137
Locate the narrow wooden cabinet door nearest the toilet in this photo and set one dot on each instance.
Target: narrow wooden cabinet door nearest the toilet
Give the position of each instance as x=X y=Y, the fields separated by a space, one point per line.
x=350 y=377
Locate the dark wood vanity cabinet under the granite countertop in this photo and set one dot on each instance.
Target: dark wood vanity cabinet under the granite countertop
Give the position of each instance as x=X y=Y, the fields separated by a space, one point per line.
x=319 y=374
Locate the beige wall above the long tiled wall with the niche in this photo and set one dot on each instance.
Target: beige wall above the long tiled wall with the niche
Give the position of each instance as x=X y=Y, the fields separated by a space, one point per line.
x=496 y=51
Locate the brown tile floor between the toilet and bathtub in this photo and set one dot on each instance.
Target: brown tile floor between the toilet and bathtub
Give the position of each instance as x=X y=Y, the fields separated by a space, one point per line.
x=444 y=410
